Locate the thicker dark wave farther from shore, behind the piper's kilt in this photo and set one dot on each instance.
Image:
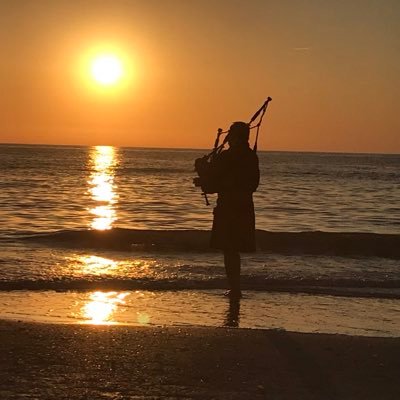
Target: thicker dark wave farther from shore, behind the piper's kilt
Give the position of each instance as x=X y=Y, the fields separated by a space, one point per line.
x=289 y=243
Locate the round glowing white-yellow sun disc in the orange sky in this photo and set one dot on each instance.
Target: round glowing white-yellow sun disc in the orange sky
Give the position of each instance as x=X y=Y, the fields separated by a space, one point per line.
x=107 y=69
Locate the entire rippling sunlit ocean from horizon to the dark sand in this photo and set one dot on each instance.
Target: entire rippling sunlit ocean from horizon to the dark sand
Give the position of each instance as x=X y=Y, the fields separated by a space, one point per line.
x=120 y=235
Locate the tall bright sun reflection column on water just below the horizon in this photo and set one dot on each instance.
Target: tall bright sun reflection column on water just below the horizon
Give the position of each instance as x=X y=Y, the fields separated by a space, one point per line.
x=103 y=161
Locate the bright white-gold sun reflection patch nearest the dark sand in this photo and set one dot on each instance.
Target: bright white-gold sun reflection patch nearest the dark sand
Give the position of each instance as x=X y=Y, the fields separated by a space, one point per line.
x=101 y=306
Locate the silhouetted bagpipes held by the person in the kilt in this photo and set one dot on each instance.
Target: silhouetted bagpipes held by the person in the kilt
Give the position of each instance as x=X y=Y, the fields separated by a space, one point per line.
x=203 y=165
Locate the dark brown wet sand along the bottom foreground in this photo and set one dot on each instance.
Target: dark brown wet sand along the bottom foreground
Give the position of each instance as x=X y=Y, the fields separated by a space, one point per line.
x=42 y=361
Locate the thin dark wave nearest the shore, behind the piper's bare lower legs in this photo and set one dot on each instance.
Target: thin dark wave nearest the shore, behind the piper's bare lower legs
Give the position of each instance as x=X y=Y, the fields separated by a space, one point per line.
x=343 y=287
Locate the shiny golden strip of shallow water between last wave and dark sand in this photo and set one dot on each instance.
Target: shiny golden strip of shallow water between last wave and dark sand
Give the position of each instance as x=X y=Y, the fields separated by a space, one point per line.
x=292 y=312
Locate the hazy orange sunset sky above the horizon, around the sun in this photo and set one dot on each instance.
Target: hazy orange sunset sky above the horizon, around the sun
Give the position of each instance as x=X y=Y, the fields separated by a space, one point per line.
x=192 y=66
